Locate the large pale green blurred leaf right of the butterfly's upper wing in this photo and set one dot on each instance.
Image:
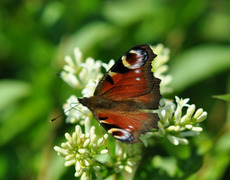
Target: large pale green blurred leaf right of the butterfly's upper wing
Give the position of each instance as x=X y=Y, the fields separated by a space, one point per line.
x=198 y=64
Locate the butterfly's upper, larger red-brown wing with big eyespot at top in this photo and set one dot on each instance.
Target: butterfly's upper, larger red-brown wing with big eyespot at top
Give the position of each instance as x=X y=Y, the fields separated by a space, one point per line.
x=131 y=78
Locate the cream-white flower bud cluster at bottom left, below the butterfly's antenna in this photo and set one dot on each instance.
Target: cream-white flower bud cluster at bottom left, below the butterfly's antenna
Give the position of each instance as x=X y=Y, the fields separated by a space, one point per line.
x=81 y=150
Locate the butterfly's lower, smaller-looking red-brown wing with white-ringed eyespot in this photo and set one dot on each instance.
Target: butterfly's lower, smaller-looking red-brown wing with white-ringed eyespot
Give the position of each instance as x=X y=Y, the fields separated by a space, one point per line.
x=127 y=126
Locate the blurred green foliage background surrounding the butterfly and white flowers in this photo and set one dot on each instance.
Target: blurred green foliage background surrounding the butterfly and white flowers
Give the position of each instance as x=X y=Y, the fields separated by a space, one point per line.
x=36 y=35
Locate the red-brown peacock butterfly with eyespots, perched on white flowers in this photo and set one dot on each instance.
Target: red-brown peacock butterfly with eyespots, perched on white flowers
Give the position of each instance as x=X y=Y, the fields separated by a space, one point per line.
x=125 y=96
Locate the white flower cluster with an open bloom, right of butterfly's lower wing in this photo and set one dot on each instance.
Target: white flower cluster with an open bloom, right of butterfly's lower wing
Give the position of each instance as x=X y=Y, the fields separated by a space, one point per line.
x=176 y=126
